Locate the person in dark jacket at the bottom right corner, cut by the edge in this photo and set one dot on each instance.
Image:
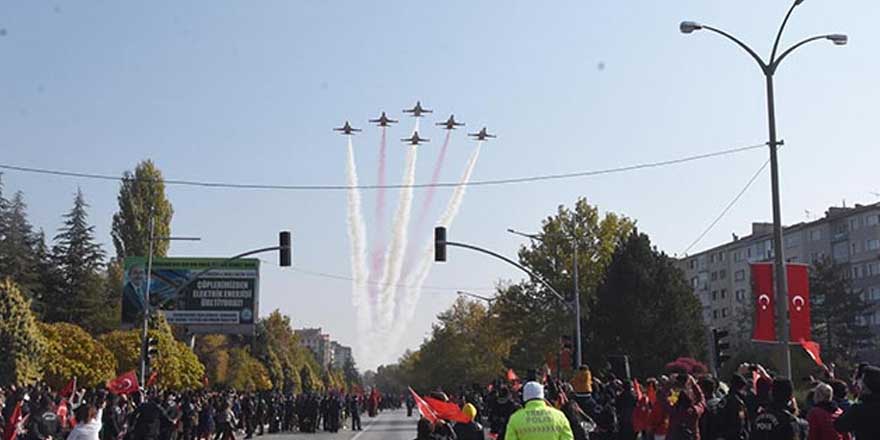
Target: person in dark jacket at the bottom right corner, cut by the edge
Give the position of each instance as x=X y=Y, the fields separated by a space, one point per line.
x=863 y=418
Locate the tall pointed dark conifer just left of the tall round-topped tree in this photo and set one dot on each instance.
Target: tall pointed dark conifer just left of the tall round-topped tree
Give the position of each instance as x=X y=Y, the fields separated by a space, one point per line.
x=81 y=261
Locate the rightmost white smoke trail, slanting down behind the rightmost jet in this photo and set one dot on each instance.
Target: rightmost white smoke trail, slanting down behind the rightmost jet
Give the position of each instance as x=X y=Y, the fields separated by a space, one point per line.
x=407 y=304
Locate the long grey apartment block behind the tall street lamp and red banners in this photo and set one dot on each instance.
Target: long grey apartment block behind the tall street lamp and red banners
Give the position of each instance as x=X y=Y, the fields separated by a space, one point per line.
x=721 y=277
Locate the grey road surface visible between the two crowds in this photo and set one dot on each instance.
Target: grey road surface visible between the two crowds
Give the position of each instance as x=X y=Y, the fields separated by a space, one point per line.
x=389 y=425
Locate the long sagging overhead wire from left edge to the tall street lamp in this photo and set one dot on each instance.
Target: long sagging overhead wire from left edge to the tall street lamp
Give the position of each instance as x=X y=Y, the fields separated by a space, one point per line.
x=491 y=182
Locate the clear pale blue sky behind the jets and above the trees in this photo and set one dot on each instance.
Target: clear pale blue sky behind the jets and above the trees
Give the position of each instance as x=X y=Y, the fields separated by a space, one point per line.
x=248 y=92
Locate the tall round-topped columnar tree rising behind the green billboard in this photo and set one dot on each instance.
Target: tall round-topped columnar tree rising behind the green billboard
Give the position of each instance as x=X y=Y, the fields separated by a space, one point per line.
x=139 y=193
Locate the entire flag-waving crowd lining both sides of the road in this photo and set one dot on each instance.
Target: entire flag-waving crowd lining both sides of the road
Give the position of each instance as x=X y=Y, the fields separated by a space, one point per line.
x=751 y=405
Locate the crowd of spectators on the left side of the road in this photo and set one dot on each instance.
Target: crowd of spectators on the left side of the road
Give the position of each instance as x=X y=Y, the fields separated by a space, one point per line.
x=40 y=413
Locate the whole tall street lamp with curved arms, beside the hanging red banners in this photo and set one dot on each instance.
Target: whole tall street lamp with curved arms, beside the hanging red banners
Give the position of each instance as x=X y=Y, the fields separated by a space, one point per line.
x=769 y=69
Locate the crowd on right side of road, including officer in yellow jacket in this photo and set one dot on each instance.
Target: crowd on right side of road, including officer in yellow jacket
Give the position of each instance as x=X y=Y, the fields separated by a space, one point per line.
x=751 y=405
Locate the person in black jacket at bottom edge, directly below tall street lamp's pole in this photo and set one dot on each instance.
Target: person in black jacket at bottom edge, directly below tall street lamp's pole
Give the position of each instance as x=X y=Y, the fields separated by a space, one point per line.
x=778 y=421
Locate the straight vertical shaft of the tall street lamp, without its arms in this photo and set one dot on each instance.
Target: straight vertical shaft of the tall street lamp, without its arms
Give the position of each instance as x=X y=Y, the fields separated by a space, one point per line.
x=780 y=274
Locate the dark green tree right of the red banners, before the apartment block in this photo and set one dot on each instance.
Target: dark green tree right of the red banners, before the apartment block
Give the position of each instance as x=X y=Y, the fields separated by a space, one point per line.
x=837 y=314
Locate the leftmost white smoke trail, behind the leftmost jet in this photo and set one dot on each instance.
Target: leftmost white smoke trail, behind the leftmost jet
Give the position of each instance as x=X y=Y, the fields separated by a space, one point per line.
x=357 y=236
